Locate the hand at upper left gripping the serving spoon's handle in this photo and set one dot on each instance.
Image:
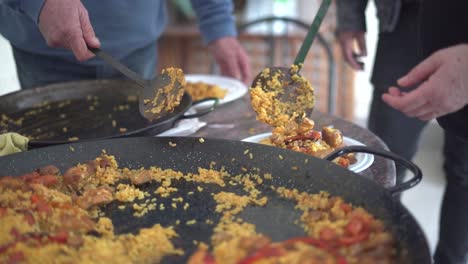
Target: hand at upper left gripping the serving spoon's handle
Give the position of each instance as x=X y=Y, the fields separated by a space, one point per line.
x=65 y=24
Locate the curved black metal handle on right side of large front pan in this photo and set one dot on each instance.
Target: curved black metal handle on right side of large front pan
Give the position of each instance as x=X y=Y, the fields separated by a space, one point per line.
x=398 y=188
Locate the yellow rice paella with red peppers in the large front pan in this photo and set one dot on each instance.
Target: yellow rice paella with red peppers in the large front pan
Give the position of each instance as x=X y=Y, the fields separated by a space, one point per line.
x=49 y=216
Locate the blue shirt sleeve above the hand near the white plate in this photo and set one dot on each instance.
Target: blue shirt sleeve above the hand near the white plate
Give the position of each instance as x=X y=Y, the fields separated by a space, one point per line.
x=216 y=19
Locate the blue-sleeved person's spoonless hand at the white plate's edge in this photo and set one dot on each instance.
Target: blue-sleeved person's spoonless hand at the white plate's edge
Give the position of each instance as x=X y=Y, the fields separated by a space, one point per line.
x=231 y=58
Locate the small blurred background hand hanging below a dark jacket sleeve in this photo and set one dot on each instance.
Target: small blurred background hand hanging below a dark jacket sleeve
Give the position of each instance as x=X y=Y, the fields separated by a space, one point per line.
x=347 y=42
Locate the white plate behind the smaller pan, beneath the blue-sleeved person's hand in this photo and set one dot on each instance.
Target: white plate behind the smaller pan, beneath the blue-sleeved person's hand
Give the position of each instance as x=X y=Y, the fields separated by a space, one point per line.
x=235 y=88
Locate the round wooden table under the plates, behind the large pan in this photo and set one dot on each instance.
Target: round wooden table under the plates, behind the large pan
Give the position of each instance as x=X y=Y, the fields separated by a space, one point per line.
x=236 y=120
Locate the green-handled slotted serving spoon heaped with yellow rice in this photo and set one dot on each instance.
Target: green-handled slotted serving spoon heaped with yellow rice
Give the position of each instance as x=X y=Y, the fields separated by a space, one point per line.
x=290 y=92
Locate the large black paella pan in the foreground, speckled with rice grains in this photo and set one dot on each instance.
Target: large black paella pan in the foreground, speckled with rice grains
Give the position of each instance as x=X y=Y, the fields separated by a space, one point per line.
x=276 y=219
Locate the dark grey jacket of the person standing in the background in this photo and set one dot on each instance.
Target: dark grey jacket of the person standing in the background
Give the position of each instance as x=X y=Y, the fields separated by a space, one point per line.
x=351 y=14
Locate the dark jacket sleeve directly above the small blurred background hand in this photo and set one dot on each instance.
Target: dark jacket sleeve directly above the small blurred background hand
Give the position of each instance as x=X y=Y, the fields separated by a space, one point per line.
x=351 y=15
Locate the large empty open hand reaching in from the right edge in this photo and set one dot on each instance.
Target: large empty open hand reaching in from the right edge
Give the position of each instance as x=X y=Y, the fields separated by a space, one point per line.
x=444 y=88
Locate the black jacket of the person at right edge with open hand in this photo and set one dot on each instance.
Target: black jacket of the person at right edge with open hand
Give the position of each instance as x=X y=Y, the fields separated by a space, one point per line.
x=444 y=24
